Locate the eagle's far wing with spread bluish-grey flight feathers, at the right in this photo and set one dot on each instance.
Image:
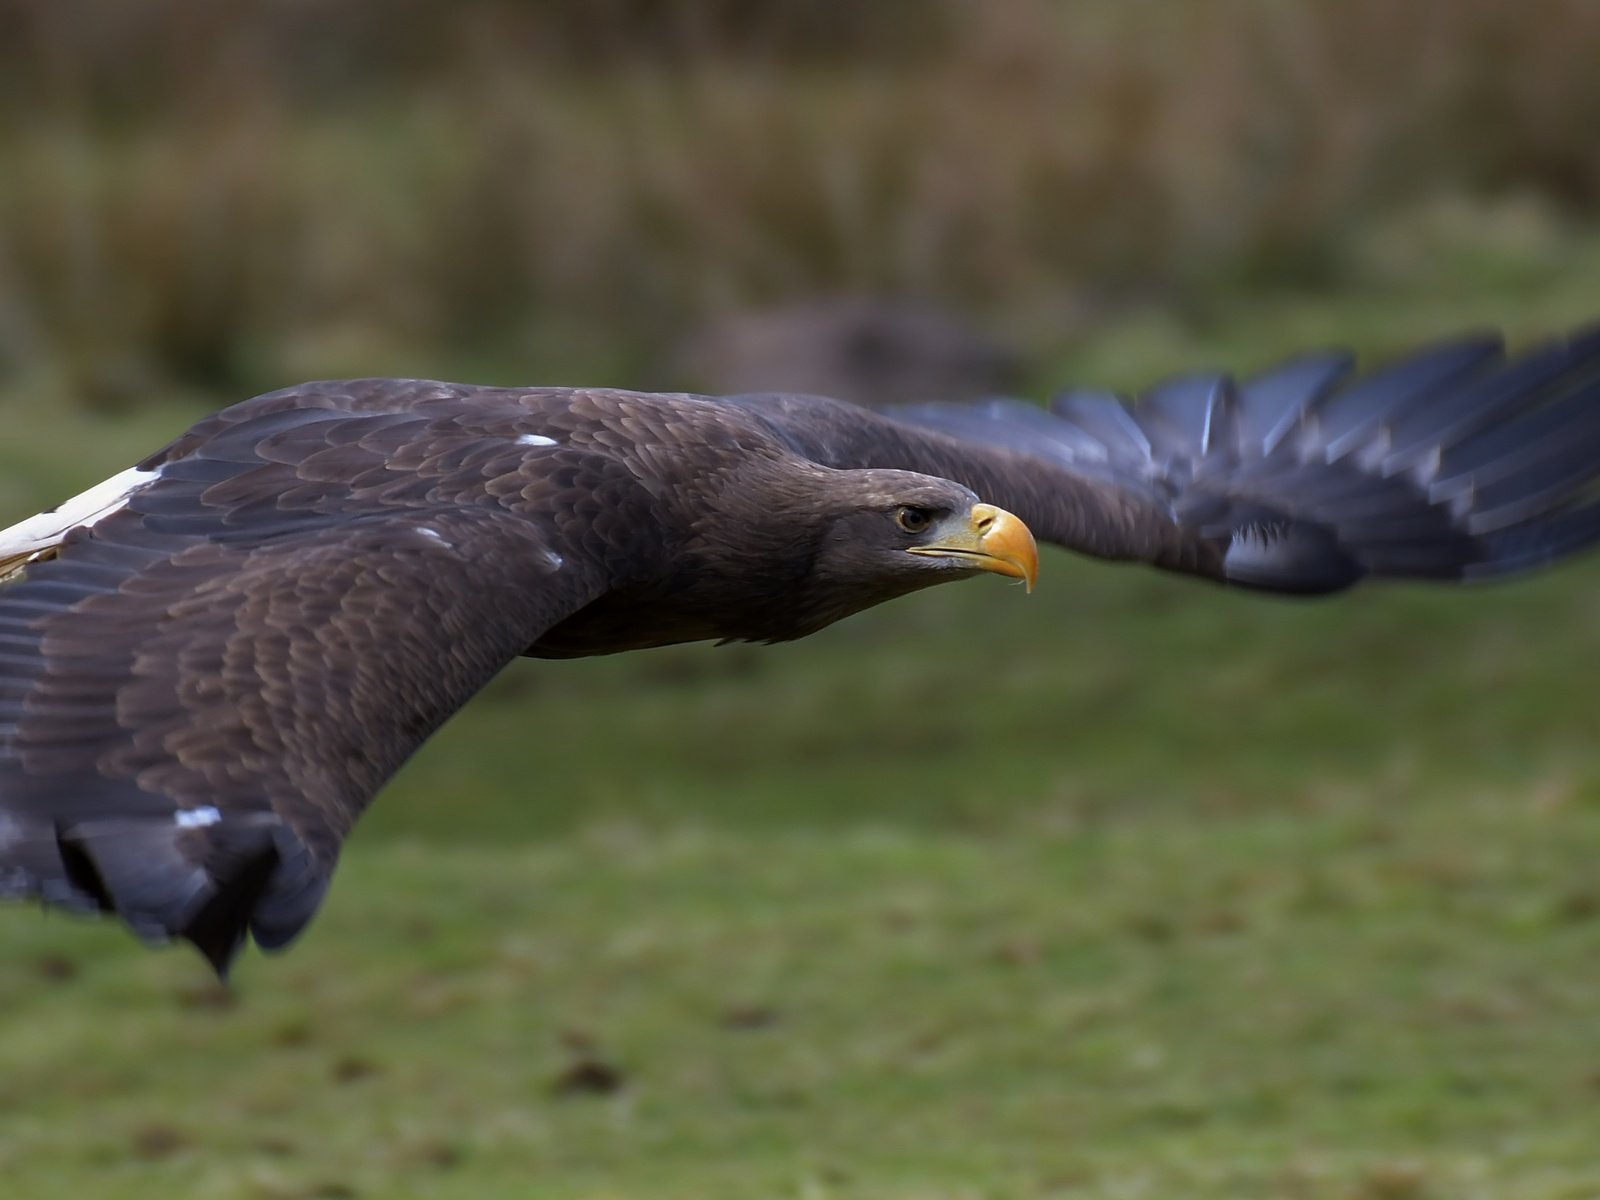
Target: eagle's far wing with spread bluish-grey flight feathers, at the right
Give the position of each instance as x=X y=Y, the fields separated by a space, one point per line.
x=1455 y=463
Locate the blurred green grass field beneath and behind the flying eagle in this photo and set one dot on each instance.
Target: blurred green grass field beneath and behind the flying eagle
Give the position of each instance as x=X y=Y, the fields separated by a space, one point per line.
x=1129 y=889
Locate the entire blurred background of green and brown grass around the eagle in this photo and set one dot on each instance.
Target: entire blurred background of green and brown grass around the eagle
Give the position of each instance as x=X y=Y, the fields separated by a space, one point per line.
x=1129 y=889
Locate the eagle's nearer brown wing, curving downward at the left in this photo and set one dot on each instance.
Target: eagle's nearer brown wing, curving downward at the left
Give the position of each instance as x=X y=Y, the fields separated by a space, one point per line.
x=202 y=690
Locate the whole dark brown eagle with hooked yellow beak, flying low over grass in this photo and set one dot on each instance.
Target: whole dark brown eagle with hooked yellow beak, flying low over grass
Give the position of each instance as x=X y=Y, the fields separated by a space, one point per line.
x=212 y=662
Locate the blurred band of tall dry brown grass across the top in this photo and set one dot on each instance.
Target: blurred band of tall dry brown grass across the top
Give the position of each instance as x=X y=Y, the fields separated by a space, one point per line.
x=274 y=190
